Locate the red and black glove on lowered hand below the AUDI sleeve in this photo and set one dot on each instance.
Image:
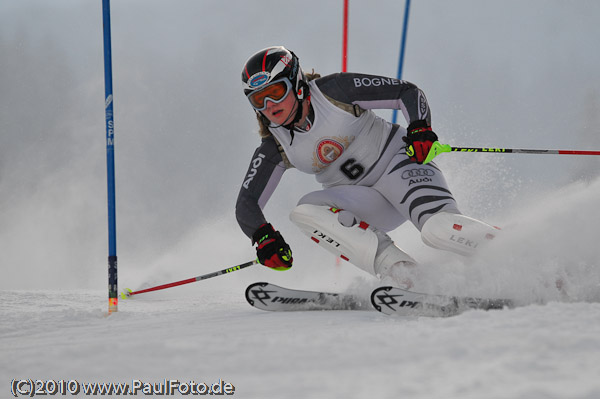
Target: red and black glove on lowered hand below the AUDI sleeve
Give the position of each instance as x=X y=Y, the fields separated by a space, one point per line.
x=272 y=250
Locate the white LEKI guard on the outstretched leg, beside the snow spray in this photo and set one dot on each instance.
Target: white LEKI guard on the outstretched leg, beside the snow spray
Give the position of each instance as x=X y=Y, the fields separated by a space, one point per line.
x=456 y=233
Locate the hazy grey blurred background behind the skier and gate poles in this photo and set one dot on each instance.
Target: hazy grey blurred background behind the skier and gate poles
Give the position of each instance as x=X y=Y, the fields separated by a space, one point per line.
x=496 y=74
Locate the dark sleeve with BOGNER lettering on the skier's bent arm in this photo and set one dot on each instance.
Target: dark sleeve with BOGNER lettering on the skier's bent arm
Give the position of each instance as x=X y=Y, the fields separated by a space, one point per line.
x=377 y=92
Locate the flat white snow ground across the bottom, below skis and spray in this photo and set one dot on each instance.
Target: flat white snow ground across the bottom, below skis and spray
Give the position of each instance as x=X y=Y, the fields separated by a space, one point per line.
x=535 y=351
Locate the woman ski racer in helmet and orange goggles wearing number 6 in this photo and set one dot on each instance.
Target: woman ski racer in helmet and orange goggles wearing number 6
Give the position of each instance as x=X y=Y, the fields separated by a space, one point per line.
x=371 y=170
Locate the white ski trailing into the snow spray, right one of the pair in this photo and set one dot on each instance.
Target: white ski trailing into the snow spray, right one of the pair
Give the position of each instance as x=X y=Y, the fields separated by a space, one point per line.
x=396 y=301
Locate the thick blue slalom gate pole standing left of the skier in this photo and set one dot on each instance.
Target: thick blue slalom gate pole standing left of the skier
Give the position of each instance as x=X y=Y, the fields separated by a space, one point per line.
x=113 y=297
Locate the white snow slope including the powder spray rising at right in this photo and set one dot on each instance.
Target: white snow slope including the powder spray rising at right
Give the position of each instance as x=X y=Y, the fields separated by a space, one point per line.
x=205 y=332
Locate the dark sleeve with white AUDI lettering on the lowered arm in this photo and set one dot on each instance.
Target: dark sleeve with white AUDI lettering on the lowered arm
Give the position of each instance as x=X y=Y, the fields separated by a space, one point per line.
x=263 y=176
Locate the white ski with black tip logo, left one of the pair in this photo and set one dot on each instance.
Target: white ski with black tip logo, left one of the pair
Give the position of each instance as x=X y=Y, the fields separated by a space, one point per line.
x=266 y=296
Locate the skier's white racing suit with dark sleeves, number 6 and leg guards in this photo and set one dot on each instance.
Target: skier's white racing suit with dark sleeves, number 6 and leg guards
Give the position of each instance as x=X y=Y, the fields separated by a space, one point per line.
x=360 y=160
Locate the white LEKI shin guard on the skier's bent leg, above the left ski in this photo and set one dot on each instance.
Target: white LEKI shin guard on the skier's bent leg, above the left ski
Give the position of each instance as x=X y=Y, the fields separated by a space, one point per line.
x=357 y=244
